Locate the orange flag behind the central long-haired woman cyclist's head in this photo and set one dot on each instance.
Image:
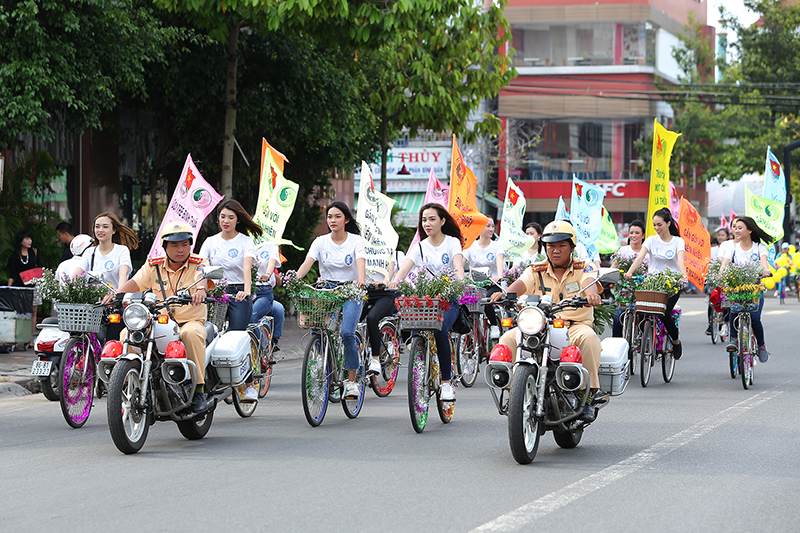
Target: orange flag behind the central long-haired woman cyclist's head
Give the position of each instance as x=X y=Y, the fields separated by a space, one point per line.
x=463 y=204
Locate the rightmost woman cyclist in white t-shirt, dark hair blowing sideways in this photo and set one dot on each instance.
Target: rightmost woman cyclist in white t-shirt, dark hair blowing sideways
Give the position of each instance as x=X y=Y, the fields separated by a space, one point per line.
x=749 y=247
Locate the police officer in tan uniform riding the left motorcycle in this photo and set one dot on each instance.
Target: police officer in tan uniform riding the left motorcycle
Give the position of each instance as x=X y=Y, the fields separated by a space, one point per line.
x=176 y=270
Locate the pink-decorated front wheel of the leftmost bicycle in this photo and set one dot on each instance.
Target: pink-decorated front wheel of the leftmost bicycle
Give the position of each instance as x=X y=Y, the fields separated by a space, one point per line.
x=77 y=382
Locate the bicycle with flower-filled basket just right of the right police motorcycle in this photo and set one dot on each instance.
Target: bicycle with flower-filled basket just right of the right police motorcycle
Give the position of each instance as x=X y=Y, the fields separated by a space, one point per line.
x=655 y=344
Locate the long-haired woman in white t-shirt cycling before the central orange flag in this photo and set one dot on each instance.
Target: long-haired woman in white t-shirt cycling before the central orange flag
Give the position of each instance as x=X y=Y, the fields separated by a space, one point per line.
x=439 y=249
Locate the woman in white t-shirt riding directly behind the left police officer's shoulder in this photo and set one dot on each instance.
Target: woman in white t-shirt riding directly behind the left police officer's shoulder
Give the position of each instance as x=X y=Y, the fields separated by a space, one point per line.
x=234 y=250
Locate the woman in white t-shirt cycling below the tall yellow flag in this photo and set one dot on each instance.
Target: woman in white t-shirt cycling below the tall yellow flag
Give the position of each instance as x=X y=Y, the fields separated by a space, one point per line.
x=666 y=250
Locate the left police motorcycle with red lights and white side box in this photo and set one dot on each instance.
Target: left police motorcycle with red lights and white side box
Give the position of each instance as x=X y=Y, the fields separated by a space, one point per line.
x=150 y=378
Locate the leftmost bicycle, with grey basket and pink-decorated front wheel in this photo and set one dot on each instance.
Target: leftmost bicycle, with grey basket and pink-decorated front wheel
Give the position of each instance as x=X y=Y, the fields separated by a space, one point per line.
x=78 y=368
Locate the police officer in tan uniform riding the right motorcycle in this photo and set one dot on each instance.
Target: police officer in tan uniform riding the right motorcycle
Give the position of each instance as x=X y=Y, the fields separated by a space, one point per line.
x=562 y=278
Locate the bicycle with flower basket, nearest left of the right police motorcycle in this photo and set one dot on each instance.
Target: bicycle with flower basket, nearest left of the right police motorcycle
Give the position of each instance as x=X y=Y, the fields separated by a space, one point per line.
x=424 y=378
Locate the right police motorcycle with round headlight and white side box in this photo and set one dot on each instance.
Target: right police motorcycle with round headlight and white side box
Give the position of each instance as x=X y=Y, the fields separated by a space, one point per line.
x=542 y=391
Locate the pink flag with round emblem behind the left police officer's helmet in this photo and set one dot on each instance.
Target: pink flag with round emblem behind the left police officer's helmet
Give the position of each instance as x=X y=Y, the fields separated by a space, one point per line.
x=191 y=203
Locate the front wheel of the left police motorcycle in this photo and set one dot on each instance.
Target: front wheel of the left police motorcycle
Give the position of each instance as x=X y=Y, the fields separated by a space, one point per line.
x=127 y=422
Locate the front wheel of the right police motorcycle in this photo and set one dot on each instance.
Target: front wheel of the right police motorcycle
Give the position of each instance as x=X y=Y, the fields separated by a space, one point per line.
x=524 y=428
